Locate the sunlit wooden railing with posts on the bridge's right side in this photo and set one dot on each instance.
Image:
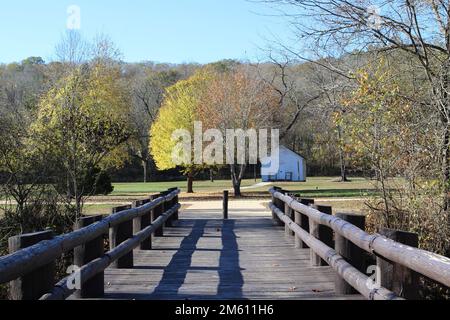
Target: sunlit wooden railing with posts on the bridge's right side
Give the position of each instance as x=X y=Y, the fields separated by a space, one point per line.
x=340 y=241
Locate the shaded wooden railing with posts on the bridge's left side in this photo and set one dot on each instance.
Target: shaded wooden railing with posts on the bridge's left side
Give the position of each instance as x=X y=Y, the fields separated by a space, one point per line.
x=30 y=267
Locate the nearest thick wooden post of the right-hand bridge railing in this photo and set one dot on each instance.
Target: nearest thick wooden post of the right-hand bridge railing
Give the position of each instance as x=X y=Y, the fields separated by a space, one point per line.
x=395 y=277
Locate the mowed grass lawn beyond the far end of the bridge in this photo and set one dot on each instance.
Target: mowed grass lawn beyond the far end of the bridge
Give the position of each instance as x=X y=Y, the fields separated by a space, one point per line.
x=347 y=196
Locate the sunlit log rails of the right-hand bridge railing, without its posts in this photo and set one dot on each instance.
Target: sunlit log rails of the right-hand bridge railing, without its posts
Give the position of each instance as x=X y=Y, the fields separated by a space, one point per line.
x=431 y=265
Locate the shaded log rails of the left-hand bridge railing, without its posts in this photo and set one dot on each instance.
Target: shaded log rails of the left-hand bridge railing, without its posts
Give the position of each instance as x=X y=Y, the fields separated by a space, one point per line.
x=27 y=260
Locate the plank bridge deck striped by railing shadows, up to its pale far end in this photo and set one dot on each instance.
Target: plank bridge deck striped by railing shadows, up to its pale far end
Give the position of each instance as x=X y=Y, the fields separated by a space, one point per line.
x=203 y=257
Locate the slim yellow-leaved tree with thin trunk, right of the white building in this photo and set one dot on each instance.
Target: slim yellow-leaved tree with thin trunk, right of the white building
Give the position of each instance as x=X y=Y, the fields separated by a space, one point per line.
x=372 y=114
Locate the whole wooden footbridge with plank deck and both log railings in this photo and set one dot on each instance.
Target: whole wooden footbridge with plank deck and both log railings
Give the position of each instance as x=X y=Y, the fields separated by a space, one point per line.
x=157 y=249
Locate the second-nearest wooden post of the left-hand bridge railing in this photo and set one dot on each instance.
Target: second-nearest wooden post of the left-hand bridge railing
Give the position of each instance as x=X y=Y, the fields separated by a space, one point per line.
x=94 y=287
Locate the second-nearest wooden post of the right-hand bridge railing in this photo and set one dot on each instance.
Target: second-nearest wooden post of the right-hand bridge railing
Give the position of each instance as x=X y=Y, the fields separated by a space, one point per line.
x=351 y=253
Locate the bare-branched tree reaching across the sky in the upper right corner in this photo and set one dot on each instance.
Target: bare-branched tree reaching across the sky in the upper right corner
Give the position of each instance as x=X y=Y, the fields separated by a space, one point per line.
x=420 y=29
